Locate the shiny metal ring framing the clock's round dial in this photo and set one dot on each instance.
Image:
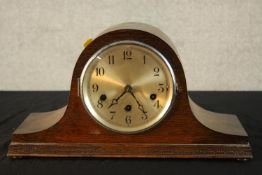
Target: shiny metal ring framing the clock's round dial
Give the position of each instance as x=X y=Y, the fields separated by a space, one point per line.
x=128 y=130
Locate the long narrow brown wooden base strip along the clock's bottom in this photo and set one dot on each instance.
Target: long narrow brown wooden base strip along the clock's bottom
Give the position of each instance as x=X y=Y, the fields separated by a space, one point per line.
x=131 y=150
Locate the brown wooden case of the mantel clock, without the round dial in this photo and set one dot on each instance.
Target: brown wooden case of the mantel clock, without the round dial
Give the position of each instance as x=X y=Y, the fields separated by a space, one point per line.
x=187 y=131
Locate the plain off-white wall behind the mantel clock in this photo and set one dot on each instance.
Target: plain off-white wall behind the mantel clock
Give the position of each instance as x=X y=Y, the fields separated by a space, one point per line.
x=219 y=41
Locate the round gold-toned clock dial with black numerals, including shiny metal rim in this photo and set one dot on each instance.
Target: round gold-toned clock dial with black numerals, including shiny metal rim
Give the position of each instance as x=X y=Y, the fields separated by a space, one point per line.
x=127 y=86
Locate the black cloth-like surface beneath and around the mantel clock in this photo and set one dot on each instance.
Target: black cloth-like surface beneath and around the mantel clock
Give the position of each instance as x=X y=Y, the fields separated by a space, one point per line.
x=15 y=106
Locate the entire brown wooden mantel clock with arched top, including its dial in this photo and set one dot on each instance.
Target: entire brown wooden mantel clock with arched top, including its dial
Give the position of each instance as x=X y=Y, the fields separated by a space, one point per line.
x=128 y=98
